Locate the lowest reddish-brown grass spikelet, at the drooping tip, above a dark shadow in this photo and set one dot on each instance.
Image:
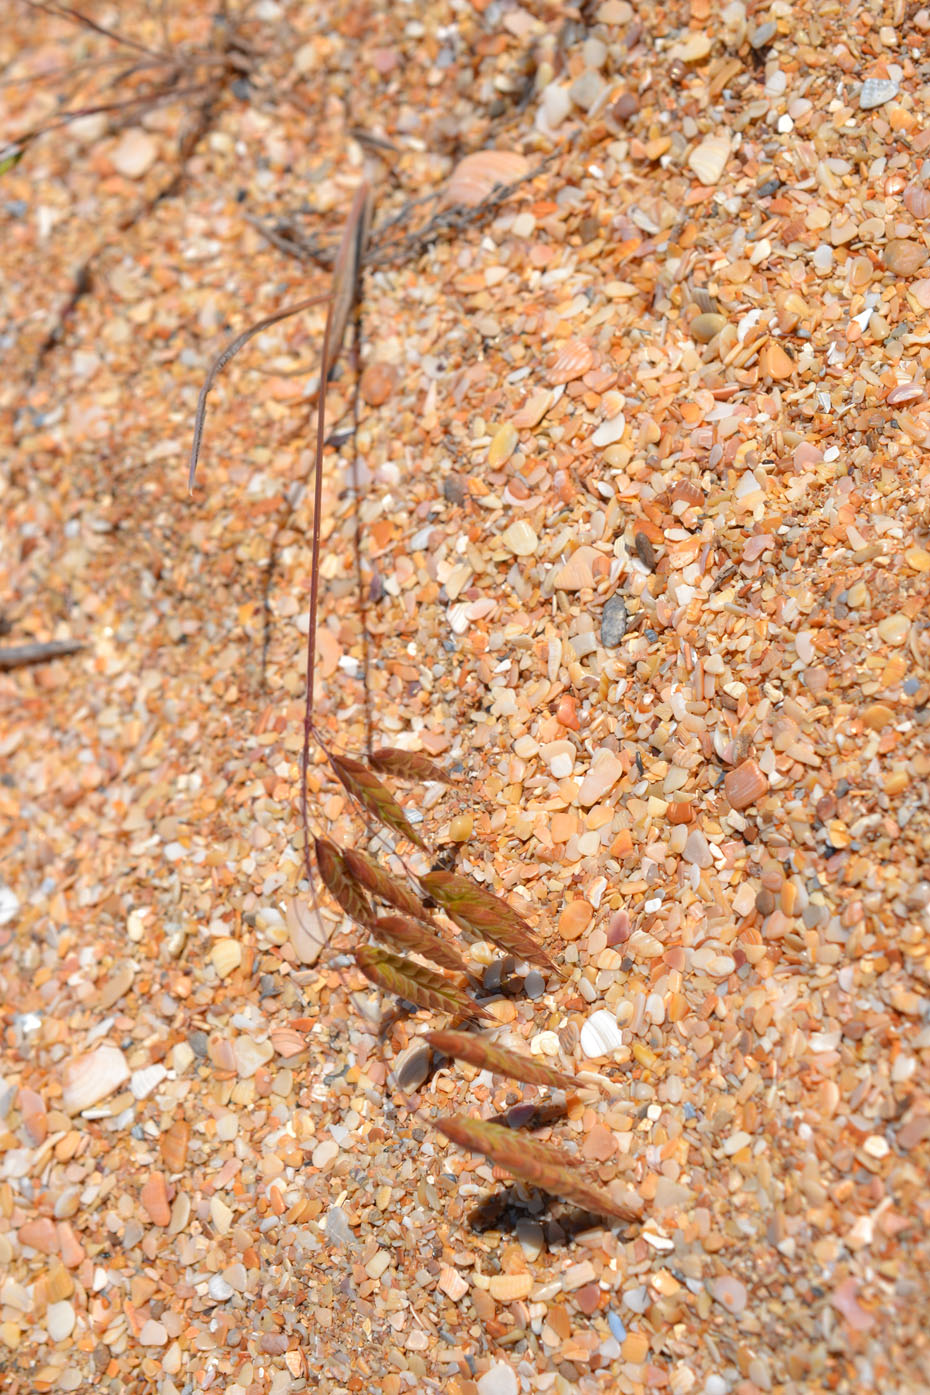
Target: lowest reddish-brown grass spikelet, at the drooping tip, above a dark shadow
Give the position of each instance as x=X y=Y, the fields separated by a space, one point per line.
x=535 y=1163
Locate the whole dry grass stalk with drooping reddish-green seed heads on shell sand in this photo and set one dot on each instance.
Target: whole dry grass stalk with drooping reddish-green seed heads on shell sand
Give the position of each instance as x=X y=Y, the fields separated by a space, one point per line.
x=416 y=917
